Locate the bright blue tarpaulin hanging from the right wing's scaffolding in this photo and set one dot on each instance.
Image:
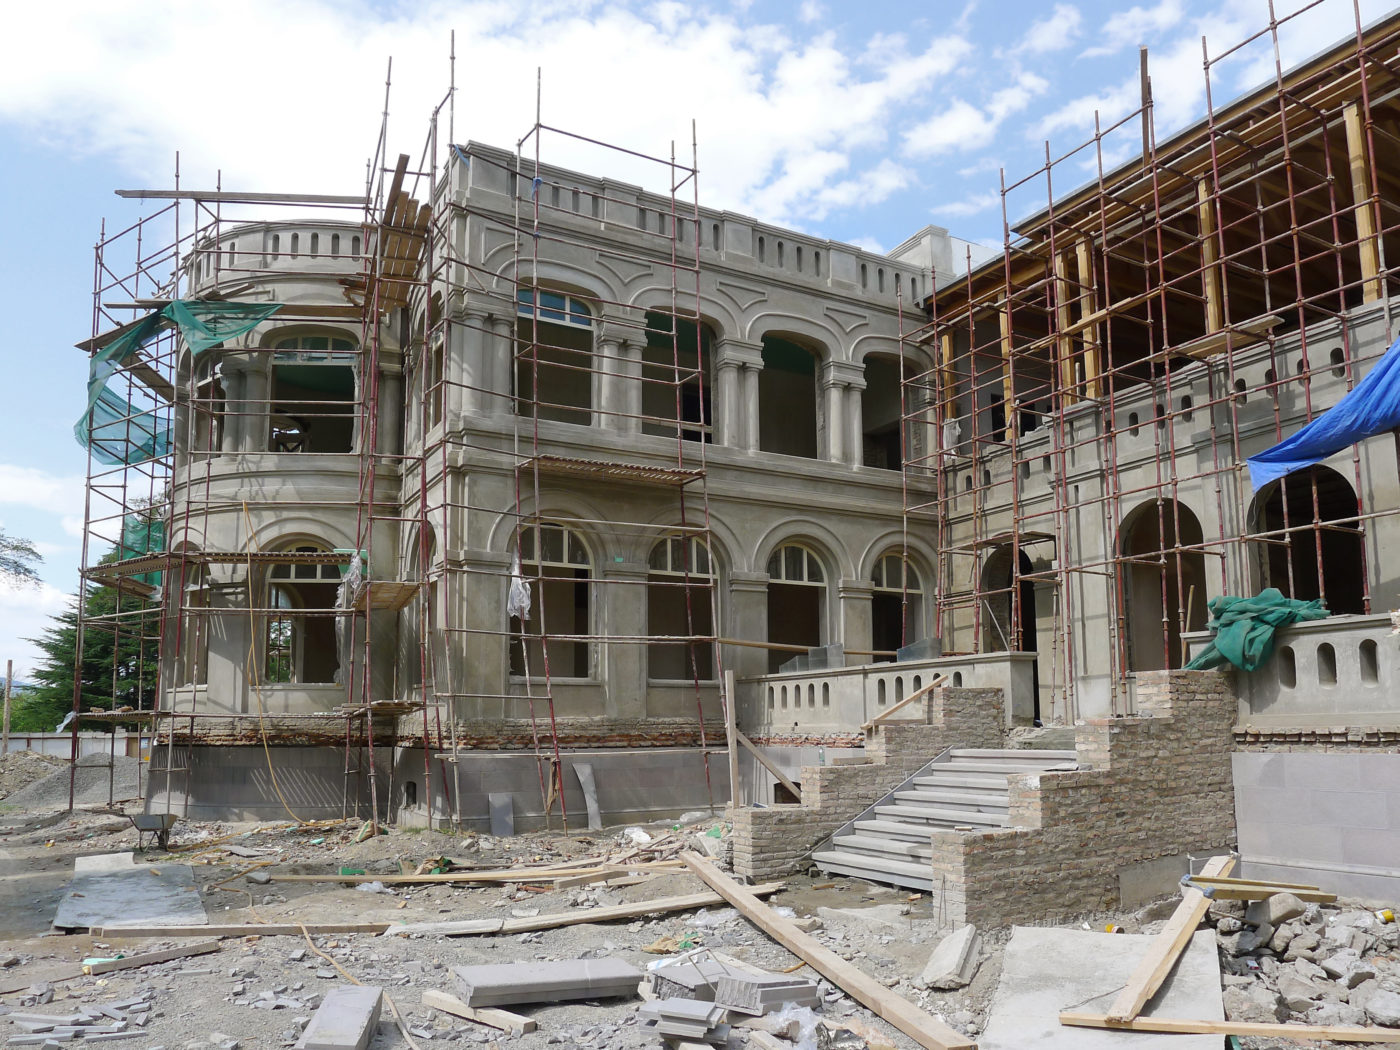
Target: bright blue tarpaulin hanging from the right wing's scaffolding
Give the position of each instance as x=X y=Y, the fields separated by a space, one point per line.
x=1371 y=408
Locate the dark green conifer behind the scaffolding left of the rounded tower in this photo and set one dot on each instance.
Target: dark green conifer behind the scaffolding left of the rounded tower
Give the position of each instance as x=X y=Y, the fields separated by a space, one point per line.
x=120 y=660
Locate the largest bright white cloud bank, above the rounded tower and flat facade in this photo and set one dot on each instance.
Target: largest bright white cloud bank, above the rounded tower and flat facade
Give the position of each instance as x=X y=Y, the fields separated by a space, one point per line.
x=769 y=100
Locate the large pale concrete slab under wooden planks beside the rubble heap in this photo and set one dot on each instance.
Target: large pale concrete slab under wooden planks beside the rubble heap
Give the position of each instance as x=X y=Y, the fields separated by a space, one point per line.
x=1048 y=971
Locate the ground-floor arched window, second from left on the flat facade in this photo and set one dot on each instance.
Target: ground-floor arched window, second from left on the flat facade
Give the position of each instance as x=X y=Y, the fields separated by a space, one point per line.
x=680 y=580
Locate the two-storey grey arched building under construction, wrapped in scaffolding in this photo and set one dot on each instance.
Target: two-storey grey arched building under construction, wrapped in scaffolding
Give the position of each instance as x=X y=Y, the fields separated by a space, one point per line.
x=507 y=495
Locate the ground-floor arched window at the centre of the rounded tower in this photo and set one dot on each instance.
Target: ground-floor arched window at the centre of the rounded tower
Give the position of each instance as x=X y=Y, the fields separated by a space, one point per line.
x=300 y=638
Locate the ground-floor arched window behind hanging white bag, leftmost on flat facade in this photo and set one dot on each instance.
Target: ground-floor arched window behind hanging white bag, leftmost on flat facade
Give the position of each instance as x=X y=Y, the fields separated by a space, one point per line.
x=558 y=568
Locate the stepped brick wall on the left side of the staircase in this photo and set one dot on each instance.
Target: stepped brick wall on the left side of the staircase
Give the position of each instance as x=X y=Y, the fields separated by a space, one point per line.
x=776 y=841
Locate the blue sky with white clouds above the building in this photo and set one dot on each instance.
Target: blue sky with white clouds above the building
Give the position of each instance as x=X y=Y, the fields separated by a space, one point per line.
x=849 y=121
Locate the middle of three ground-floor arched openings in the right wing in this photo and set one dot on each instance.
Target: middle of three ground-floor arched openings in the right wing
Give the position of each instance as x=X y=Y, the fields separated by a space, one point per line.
x=1164 y=586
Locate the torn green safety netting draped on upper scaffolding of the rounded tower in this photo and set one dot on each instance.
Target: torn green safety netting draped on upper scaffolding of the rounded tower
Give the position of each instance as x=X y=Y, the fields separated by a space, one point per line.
x=118 y=432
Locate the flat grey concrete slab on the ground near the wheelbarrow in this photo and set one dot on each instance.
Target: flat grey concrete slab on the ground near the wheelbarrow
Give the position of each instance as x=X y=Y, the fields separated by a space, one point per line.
x=111 y=891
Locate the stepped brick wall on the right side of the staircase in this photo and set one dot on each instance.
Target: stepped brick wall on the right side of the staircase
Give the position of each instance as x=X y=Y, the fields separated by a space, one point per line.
x=1160 y=786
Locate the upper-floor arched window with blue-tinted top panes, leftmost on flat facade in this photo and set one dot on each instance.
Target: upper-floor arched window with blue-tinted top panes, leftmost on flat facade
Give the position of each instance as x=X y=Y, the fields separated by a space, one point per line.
x=554 y=356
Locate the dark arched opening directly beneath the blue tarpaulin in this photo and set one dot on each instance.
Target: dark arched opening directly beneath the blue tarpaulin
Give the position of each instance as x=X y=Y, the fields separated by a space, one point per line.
x=1312 y=544
